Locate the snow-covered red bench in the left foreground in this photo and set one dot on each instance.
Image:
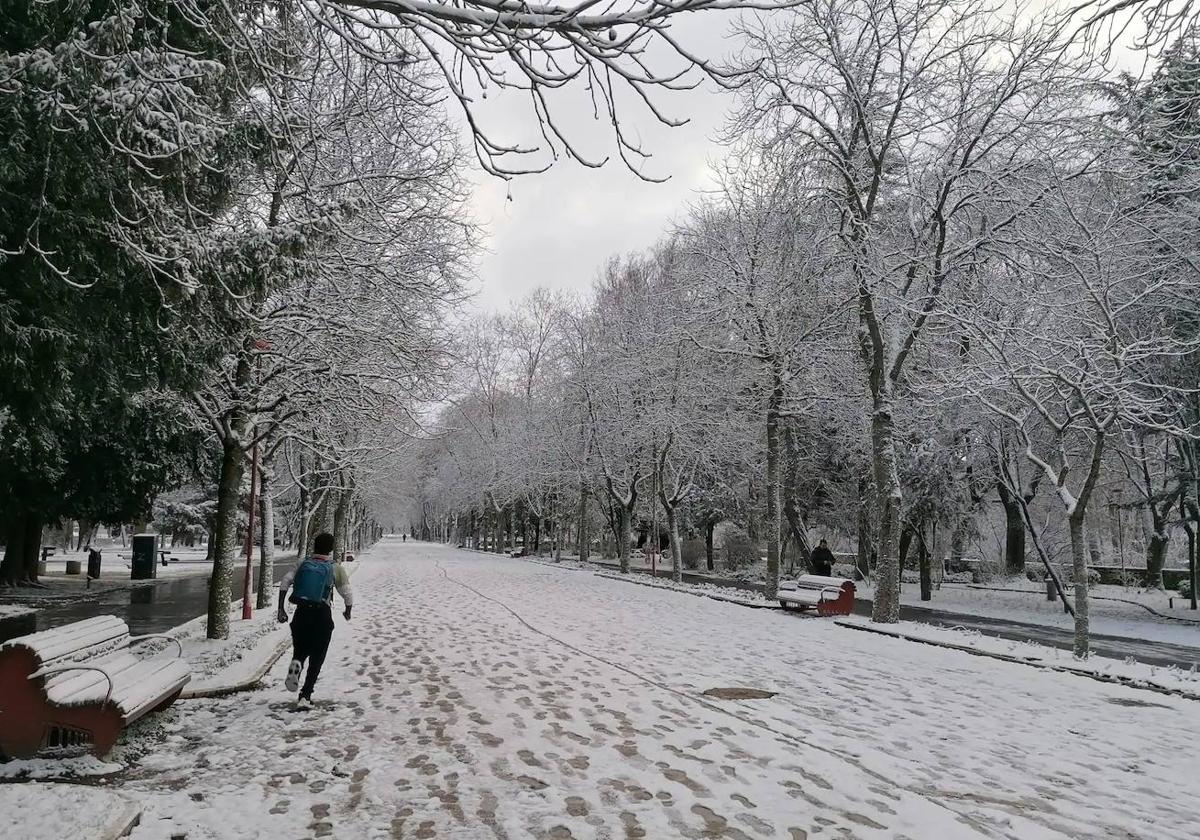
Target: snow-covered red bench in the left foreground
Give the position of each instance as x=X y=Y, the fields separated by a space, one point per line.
x=75 y=688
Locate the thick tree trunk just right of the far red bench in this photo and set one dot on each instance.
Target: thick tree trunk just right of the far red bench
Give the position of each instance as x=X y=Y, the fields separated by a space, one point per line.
x=887 y=482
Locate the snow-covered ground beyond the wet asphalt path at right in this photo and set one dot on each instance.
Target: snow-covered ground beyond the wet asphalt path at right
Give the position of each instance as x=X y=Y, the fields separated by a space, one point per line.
x=1107 y=617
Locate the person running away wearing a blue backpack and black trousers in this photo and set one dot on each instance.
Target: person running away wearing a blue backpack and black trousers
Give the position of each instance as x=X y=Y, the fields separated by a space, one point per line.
x=313 y=584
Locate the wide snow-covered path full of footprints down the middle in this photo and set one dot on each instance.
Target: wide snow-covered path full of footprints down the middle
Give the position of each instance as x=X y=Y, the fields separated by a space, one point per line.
x=489 y=698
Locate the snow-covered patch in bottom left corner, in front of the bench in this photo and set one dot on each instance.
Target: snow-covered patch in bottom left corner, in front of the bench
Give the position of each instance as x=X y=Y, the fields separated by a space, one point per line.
x=53 y=812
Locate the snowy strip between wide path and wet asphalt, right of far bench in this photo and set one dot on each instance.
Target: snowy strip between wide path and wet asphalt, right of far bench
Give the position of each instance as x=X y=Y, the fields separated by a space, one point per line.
x=1183 y=682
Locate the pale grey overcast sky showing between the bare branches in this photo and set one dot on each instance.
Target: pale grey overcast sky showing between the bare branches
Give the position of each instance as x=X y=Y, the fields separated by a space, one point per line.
x=562 y=226
